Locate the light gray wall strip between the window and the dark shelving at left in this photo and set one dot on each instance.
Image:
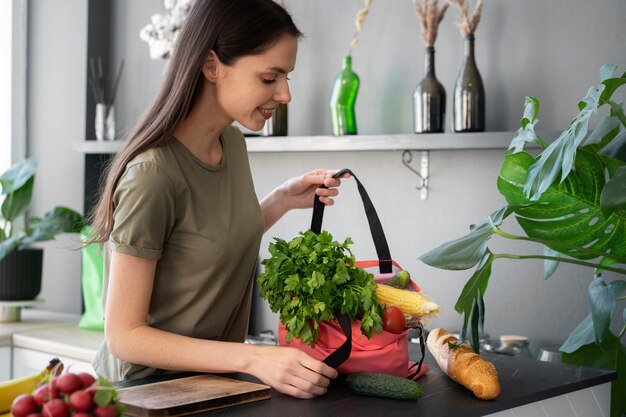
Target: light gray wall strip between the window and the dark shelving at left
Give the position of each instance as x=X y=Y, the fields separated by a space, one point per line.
x=56 y=120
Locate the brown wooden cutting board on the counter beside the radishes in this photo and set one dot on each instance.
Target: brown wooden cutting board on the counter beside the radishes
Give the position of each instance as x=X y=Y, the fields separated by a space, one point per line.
x=189 y=395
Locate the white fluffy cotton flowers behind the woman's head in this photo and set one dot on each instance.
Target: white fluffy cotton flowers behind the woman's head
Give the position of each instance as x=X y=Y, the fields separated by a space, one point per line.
x=163 y=28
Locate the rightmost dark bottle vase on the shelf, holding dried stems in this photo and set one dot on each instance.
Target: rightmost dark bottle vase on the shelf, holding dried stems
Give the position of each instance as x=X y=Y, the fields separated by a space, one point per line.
x=469 y=94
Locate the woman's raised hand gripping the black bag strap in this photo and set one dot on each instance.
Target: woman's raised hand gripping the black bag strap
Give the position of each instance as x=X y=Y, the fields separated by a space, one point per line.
x=300 y=191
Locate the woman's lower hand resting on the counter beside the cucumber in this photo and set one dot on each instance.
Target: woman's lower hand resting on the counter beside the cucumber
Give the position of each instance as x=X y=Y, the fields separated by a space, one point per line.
x=291 y=371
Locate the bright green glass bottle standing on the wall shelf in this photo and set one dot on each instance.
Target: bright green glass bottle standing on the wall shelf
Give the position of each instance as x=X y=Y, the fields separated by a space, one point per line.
x=343 y=99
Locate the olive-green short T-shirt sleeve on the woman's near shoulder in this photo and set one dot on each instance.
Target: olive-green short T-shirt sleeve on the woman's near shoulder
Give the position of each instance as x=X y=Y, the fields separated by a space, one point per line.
x=144 y=211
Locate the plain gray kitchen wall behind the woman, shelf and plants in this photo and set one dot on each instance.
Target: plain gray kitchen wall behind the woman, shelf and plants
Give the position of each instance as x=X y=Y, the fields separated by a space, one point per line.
x=551 y=50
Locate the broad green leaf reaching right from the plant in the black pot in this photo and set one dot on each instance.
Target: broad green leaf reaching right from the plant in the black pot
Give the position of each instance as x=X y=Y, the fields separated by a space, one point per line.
x=58 y=220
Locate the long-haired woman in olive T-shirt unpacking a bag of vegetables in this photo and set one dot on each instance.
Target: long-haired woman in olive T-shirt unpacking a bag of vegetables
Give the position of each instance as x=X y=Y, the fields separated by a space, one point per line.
x=180 y=216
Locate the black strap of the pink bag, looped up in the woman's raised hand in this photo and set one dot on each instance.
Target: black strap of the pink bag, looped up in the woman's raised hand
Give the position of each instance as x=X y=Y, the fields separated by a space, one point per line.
x=378 y=235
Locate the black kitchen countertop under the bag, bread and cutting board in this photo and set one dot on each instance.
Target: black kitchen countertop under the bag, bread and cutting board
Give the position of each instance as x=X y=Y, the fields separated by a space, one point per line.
x=530 y=387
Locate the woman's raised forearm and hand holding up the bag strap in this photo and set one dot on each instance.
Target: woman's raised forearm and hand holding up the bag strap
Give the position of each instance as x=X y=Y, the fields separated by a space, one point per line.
x=298 y=192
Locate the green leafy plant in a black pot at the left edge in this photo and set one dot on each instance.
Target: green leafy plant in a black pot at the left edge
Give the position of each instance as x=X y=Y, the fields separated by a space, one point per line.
x=20 y=266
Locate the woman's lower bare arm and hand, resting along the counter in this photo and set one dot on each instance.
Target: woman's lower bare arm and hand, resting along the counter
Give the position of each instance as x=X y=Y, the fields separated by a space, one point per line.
x=129 y=338
